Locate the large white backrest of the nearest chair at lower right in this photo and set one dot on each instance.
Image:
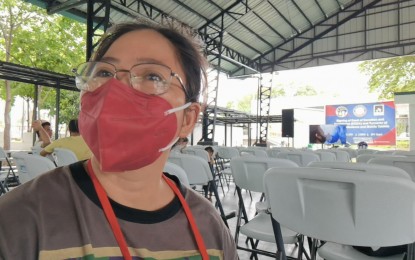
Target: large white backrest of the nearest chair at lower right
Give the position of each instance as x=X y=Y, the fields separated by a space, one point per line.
x=343 y=206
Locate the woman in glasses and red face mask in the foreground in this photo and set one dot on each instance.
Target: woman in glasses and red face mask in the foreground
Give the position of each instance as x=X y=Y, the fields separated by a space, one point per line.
x=139 y=95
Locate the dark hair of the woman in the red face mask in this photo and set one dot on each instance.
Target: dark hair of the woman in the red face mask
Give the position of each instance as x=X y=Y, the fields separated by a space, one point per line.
x=188 y=52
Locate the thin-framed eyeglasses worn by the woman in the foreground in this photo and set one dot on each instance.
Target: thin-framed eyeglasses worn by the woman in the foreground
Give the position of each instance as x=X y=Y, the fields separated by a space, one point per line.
x=150 y=78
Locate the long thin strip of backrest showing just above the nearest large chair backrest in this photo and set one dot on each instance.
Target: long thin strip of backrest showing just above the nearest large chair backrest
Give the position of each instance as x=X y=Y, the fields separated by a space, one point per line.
x=364 y=168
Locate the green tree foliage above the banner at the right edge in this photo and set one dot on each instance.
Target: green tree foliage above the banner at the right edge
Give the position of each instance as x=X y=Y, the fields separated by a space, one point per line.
x=388 y=76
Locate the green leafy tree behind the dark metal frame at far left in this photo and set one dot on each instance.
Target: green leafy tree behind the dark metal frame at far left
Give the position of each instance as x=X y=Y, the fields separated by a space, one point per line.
x=31 y=37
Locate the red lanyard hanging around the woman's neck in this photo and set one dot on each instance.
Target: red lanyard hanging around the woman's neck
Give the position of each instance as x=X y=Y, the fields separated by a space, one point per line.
x=115 y=227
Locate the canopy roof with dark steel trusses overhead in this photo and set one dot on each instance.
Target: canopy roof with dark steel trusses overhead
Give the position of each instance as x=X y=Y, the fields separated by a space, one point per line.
x=272 y=35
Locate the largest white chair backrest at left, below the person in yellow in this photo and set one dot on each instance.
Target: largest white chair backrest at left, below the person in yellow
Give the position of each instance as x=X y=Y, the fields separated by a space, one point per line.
x=30 y=165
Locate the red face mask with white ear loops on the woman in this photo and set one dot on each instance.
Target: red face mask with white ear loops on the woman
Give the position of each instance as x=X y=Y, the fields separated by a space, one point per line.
x=124 y=128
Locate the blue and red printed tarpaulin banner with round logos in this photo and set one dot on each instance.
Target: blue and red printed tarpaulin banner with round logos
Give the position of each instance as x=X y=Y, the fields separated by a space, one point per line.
x=373 y=123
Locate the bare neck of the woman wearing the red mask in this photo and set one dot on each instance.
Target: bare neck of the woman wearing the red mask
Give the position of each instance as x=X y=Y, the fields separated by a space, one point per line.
x=143 y=188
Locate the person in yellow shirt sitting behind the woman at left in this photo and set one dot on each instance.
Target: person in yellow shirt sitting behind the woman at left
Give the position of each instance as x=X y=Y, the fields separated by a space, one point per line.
x=74 y=142
